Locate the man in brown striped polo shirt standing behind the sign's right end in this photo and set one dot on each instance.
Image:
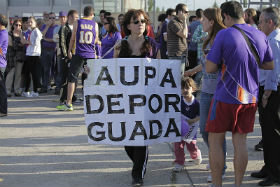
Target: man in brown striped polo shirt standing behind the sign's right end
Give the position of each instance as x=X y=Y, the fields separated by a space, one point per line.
x=177 y=33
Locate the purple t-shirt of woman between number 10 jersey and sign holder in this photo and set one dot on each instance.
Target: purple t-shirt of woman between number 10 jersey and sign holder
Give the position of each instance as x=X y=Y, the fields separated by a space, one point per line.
x=108 y=42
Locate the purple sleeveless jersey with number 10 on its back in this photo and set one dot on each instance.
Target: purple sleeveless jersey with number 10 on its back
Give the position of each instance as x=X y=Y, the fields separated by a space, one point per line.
x=85 y=38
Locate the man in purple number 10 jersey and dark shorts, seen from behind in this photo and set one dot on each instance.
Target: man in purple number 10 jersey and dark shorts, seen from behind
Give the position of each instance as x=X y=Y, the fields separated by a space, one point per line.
x=85 y=33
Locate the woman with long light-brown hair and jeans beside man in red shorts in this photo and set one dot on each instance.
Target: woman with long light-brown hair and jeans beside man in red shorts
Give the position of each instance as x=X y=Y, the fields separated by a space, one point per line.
x=211 y=23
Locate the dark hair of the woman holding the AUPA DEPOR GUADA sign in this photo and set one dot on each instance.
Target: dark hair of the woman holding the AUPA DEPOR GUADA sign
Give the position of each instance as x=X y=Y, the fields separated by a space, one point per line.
x=134 y=14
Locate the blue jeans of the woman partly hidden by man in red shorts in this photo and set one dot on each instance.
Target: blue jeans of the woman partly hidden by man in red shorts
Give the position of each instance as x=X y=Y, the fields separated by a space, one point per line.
x=205 y=102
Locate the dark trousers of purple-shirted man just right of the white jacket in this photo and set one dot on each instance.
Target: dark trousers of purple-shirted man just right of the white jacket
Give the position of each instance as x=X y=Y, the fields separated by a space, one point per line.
x=47 y=60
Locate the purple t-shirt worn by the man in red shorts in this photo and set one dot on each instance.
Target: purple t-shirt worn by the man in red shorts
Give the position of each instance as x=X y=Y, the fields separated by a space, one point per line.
x=238 y=79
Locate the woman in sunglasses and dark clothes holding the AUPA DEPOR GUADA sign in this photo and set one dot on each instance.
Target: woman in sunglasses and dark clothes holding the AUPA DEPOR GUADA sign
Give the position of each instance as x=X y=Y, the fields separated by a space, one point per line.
x=137 y=44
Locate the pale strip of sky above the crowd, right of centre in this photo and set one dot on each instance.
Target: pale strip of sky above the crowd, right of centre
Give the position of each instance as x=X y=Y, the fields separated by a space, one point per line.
x=192 y=4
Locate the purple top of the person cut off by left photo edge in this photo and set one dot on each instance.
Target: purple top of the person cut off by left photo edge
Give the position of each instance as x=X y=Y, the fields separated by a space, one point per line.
x=3 y=47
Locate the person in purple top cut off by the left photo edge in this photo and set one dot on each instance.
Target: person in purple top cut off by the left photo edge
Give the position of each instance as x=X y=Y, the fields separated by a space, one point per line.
x=3 y=64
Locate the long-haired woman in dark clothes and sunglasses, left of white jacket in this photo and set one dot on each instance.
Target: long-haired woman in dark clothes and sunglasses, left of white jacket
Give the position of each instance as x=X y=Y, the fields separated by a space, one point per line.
x=15 y=60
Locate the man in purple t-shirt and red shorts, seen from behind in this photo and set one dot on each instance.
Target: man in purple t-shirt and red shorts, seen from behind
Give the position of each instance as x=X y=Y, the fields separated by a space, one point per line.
x=235 y=101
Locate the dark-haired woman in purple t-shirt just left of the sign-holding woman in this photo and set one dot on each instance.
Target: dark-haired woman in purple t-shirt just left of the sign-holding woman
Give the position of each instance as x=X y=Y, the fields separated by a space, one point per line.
x=110 y=39
